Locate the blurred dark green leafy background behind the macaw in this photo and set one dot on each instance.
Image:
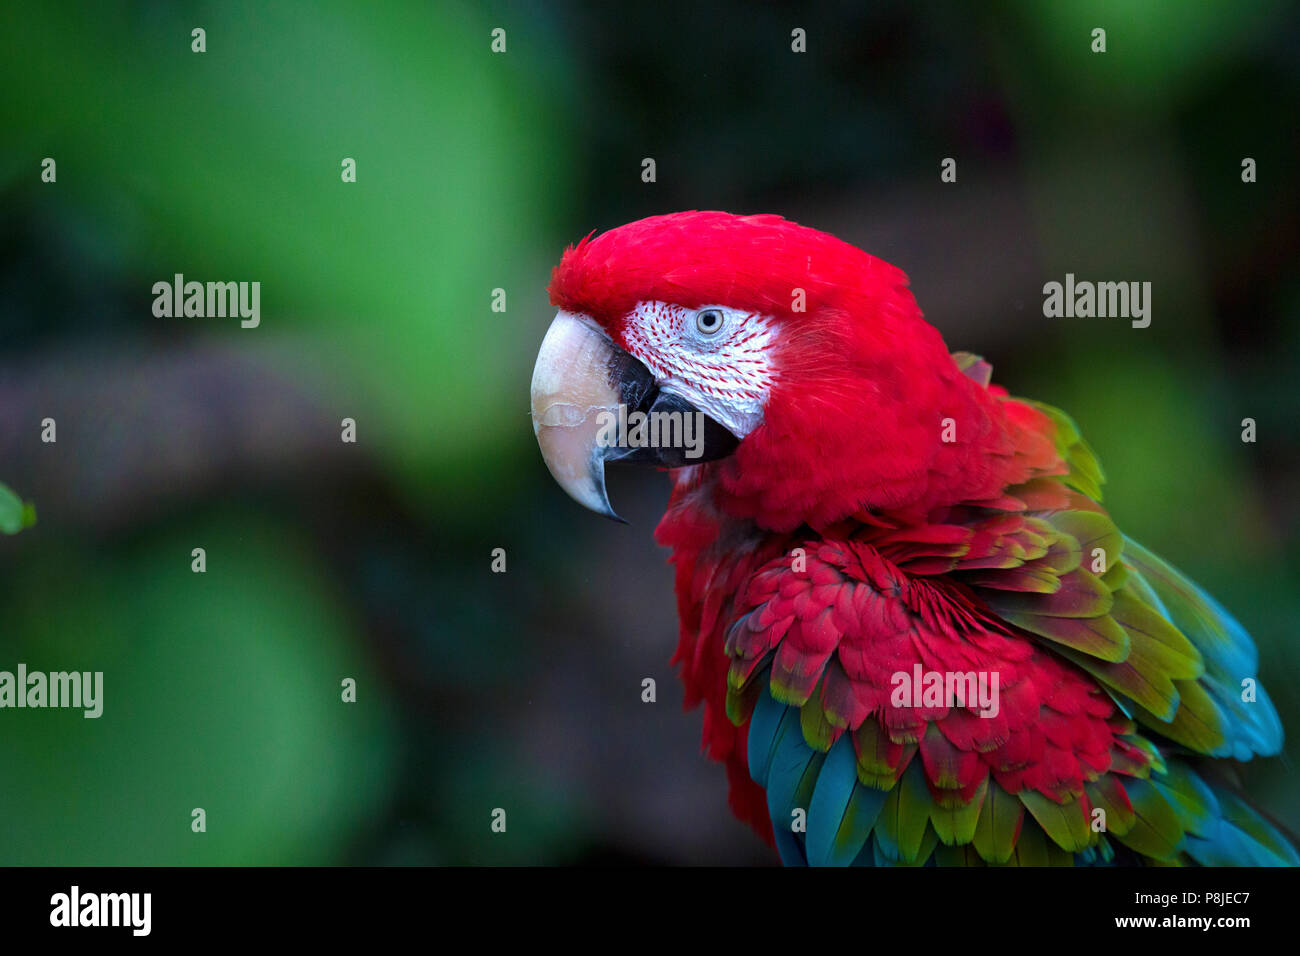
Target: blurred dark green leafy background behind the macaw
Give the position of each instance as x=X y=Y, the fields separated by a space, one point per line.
x=374 y=561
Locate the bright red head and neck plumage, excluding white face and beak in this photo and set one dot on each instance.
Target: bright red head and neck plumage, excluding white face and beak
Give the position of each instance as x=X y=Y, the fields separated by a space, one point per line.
x=864 y=390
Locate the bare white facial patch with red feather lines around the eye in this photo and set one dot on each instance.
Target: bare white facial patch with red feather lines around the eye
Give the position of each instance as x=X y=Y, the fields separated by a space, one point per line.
x=717 y=358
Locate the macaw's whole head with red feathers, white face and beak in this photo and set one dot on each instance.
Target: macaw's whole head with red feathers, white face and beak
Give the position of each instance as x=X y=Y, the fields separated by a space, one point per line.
x=820 y=390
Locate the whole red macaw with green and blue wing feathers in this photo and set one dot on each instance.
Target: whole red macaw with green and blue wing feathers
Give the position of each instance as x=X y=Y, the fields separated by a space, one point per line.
x=917 y=634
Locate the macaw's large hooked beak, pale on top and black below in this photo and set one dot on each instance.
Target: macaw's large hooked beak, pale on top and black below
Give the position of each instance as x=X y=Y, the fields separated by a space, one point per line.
x=580 y=382
